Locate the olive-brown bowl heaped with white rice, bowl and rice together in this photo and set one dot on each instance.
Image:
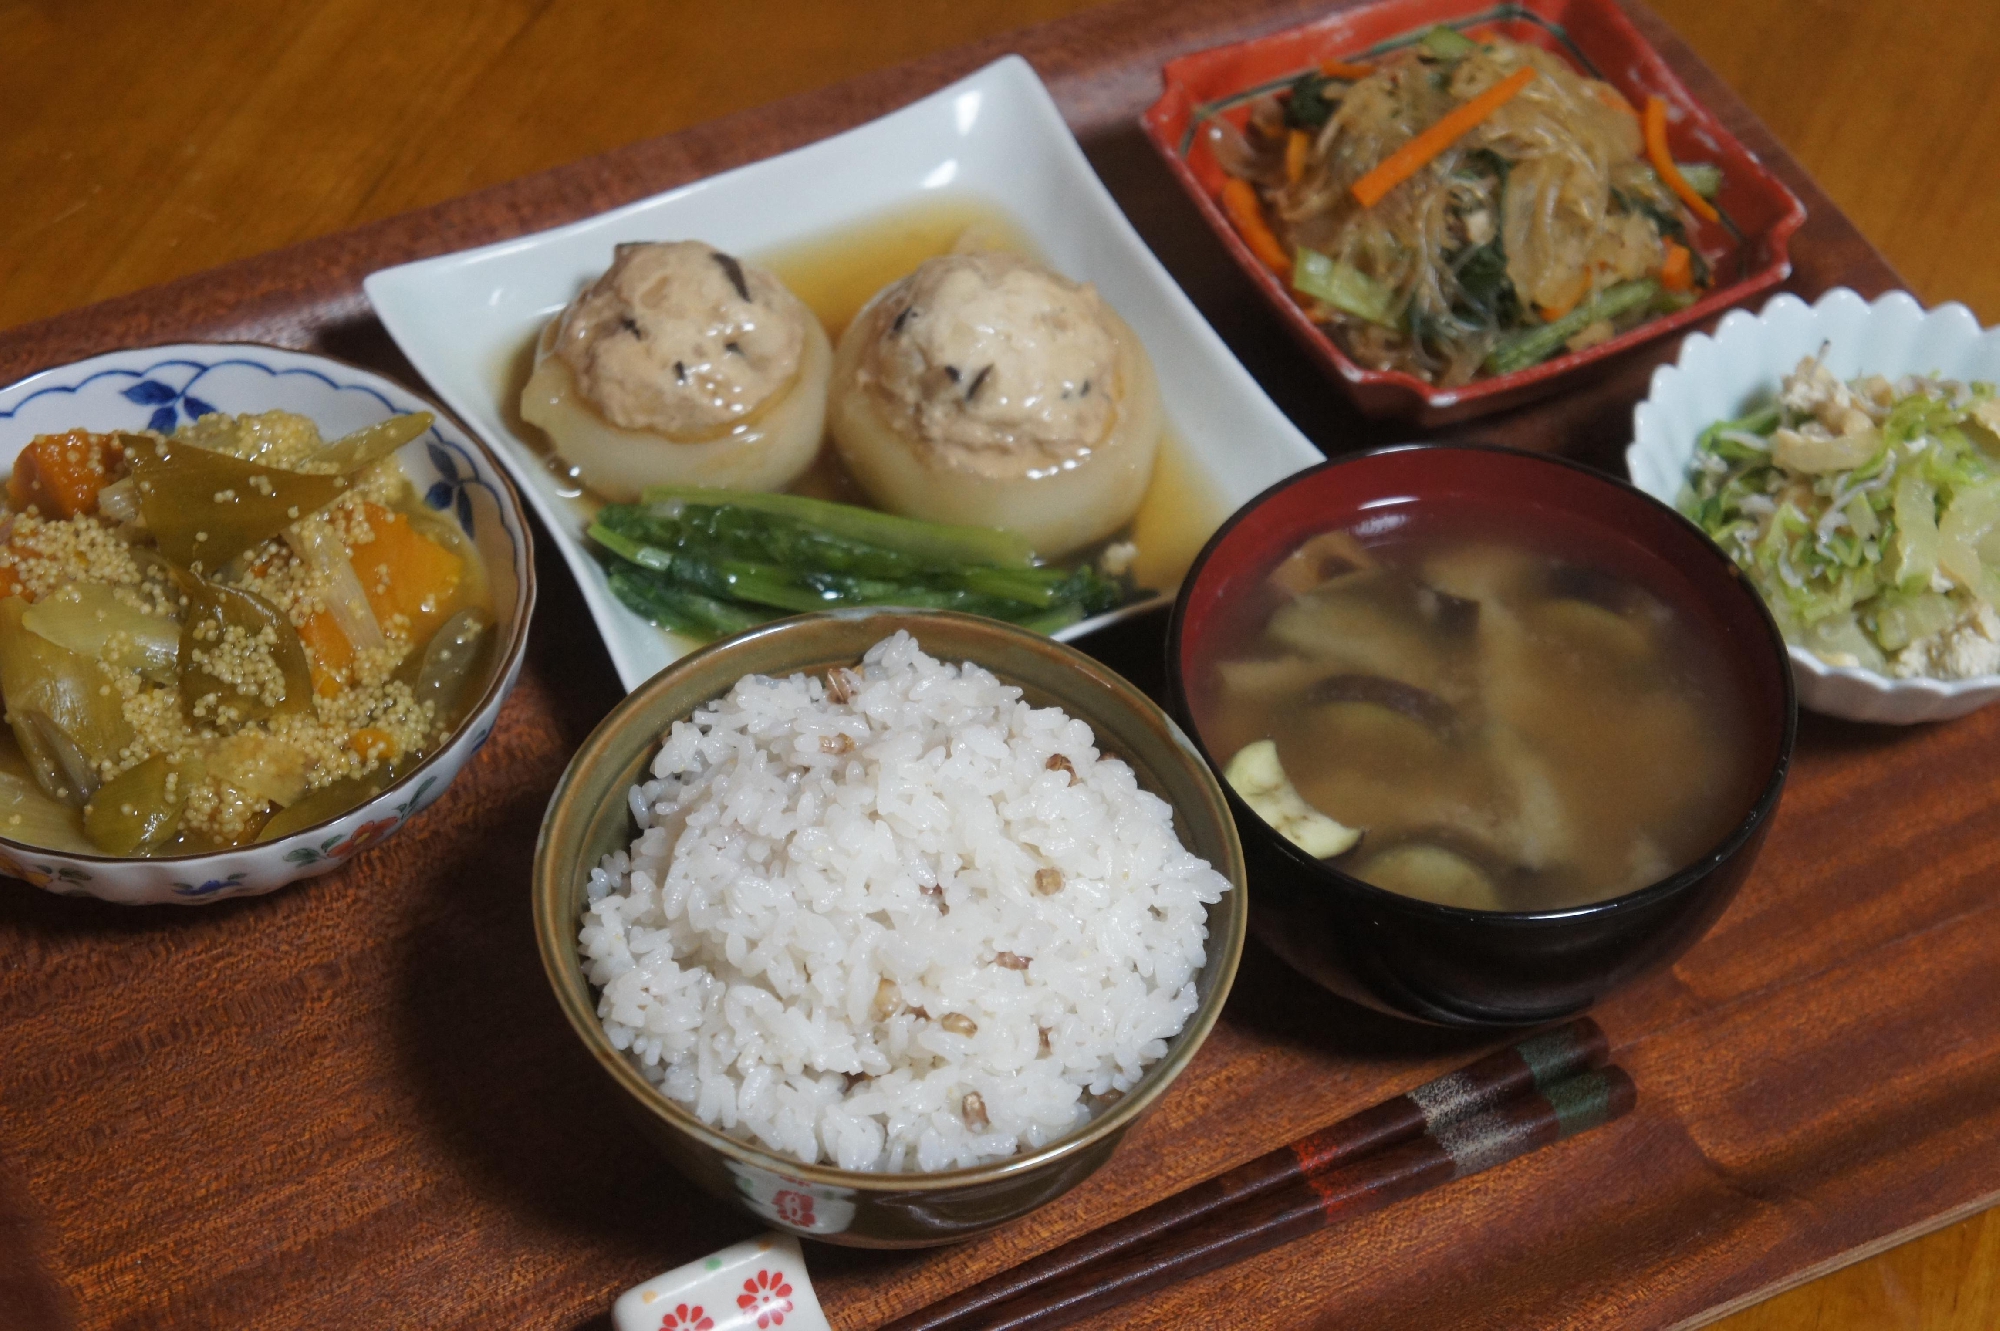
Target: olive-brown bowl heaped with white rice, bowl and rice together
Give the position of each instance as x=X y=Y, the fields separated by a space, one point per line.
x=891 y=924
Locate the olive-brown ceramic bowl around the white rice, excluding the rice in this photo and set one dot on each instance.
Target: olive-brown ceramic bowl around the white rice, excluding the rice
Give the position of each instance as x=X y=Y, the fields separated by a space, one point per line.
x=591 y=816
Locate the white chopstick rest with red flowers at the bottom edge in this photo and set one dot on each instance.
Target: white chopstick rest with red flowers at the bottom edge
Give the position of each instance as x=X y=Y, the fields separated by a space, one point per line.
x=753 y=1286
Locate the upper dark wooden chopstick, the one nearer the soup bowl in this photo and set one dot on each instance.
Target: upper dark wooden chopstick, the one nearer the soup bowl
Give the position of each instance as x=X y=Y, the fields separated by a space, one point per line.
x=1433 y=1108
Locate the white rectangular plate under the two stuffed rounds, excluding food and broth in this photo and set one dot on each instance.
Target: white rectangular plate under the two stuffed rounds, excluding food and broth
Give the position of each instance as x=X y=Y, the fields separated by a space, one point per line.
x=997 y=135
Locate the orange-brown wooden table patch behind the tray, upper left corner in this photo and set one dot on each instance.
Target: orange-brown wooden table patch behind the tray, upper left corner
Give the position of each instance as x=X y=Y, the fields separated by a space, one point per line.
x=141 y=147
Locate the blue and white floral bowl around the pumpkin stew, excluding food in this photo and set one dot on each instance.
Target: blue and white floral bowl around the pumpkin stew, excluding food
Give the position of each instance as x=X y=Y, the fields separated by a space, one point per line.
x=167 y=387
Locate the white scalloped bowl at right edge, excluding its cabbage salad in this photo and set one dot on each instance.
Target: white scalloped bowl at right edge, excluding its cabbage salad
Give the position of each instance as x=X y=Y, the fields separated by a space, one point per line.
x=1737 y=369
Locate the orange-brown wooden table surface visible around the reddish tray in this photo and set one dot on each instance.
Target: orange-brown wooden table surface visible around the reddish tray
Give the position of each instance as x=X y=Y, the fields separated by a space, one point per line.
x=149 y=143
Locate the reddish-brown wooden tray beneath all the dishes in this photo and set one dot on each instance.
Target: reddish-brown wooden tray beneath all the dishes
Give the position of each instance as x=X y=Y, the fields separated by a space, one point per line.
x=353 y=1104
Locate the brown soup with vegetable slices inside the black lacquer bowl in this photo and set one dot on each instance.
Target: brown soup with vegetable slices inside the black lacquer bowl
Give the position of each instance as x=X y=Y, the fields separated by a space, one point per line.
x=1593 y=736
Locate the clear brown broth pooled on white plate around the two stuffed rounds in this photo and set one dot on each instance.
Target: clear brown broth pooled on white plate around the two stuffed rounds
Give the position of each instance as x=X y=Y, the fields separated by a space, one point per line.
x=837 y=275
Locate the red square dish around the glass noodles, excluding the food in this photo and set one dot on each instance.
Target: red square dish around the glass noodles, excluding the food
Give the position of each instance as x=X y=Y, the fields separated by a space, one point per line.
x=1749 y=243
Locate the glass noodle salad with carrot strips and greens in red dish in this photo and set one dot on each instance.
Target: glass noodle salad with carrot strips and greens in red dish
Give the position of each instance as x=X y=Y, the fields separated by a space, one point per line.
x=1463 y=209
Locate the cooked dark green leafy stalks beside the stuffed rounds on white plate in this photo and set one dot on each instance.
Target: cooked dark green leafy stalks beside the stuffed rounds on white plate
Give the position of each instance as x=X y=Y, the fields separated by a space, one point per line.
x=715 y=563
